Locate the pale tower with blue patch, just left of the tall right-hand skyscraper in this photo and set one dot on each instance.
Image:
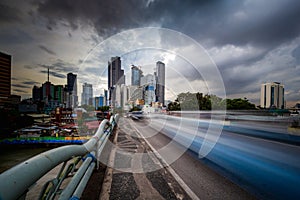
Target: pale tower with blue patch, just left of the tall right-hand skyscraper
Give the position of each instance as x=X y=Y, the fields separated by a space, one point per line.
x=149 y=85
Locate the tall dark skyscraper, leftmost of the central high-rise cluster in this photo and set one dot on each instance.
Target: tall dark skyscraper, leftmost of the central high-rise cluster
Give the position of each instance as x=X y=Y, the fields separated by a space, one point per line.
x=115 y=77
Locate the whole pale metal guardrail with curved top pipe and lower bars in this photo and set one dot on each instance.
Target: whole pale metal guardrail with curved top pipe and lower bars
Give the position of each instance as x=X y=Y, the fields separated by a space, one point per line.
x=16 y=182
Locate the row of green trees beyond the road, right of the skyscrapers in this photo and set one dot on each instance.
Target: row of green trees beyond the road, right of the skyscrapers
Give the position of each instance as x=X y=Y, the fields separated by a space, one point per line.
x=198 y=101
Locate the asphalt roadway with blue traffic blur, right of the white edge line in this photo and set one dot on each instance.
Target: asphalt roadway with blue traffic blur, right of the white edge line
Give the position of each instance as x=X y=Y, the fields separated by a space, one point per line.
x=251 y=165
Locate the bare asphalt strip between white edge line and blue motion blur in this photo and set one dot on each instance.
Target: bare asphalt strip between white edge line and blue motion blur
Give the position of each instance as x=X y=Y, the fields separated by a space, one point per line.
x=204 y=182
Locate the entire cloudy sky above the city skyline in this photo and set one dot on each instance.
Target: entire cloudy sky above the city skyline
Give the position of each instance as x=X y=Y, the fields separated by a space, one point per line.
x=208 y=46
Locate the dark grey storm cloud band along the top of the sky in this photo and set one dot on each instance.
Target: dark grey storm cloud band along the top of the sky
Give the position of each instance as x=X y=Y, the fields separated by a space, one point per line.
x=221 y=22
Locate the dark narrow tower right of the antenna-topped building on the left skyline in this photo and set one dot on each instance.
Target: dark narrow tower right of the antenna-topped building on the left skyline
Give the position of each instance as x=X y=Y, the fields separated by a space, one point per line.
x=72 y=90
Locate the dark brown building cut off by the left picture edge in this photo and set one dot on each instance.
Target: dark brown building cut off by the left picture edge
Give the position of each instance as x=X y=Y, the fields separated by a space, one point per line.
x=5 y=75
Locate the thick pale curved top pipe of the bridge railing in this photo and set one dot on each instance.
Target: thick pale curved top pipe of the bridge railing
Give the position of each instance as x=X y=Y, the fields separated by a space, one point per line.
x=14 y=183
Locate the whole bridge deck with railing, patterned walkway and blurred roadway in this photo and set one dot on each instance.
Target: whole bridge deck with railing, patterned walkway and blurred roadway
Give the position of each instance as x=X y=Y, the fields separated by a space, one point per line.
x=168 y=157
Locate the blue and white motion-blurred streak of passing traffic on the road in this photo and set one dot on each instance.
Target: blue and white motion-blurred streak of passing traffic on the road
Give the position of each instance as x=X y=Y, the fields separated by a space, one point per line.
x=261 y=162
